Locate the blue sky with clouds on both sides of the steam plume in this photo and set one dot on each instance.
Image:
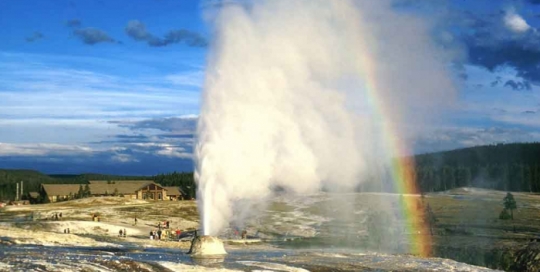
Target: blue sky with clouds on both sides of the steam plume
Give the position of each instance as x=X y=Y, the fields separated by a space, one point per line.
x=114 y=87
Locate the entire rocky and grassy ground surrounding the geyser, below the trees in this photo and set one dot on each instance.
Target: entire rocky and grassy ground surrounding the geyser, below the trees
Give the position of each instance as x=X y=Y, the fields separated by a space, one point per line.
x=295 y=232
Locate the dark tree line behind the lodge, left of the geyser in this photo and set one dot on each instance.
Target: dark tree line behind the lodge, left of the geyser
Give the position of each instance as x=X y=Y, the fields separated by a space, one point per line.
x=33 y=179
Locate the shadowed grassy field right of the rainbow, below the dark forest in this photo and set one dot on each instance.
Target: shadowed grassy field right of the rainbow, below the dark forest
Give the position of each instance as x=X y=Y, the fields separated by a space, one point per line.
x=474 y=214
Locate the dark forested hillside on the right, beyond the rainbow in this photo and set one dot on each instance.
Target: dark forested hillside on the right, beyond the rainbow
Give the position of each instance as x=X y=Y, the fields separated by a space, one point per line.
x=507 y=167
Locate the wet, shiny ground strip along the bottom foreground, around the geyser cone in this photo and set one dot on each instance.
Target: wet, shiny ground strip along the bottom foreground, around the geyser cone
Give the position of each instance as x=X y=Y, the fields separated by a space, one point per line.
x=258 y=258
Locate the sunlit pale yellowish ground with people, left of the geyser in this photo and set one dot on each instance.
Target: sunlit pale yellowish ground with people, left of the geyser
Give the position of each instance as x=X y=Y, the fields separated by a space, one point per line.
x=36 y=224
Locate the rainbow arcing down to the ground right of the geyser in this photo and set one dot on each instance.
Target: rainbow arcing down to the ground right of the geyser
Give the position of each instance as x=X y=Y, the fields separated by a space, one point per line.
x=402 y=173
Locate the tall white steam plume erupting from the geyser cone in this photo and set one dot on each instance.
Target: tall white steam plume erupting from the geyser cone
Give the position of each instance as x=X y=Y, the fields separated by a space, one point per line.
x=297 y=95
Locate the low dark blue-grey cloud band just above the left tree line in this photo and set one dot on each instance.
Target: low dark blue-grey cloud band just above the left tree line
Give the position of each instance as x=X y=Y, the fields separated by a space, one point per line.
x=67 y=159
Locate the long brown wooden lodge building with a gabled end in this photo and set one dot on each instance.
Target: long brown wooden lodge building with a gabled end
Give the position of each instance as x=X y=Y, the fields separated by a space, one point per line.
x=133 y=189
